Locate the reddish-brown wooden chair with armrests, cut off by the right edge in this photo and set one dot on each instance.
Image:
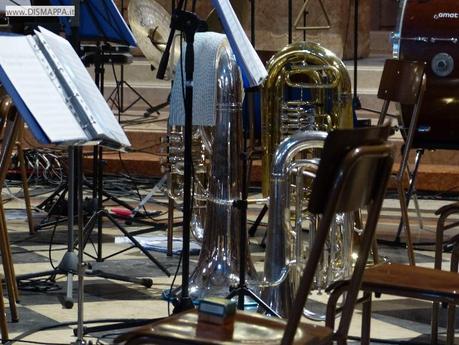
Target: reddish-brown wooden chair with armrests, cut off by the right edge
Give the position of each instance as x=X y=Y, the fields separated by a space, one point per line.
x=413 y=282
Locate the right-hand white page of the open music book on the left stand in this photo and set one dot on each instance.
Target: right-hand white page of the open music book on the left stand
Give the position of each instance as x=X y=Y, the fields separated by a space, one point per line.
x=102 y=118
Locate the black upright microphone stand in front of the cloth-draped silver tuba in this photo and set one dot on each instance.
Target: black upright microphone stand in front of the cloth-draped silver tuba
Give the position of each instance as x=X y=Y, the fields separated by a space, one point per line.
x=188 y=23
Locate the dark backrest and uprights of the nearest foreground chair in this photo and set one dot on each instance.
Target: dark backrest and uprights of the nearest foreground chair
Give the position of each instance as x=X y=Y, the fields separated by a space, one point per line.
x=354 y=169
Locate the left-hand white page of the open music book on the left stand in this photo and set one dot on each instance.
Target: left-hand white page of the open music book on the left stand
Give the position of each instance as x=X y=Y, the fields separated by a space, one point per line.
x=29 y=72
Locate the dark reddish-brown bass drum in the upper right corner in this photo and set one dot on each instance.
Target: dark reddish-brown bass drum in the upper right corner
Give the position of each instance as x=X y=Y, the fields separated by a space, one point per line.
x=428 y=30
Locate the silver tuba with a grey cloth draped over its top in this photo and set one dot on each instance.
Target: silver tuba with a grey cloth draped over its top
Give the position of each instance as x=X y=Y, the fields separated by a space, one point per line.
x=218 y=176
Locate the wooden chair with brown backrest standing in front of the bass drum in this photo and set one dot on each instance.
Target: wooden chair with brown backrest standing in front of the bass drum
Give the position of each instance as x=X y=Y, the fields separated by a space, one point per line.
x=403 y=82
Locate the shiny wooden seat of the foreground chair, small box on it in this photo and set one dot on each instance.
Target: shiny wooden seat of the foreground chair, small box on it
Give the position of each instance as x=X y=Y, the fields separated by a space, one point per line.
x=249 y=328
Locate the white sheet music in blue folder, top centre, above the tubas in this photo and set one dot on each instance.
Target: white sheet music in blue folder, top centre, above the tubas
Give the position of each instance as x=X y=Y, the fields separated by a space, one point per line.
x=253 y=70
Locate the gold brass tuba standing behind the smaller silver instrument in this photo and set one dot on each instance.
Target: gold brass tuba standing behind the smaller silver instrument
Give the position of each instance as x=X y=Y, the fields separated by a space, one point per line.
x=308 y=88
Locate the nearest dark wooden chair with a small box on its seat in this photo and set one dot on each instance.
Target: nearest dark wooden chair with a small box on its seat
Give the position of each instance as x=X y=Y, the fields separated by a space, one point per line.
x=353 y=172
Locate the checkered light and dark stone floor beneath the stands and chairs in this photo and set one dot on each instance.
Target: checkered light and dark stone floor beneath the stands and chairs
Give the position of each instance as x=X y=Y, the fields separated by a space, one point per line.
x=43 y=319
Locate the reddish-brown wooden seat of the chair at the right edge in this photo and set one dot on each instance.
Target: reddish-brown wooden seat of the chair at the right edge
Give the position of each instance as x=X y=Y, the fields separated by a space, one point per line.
x=412 y=281
